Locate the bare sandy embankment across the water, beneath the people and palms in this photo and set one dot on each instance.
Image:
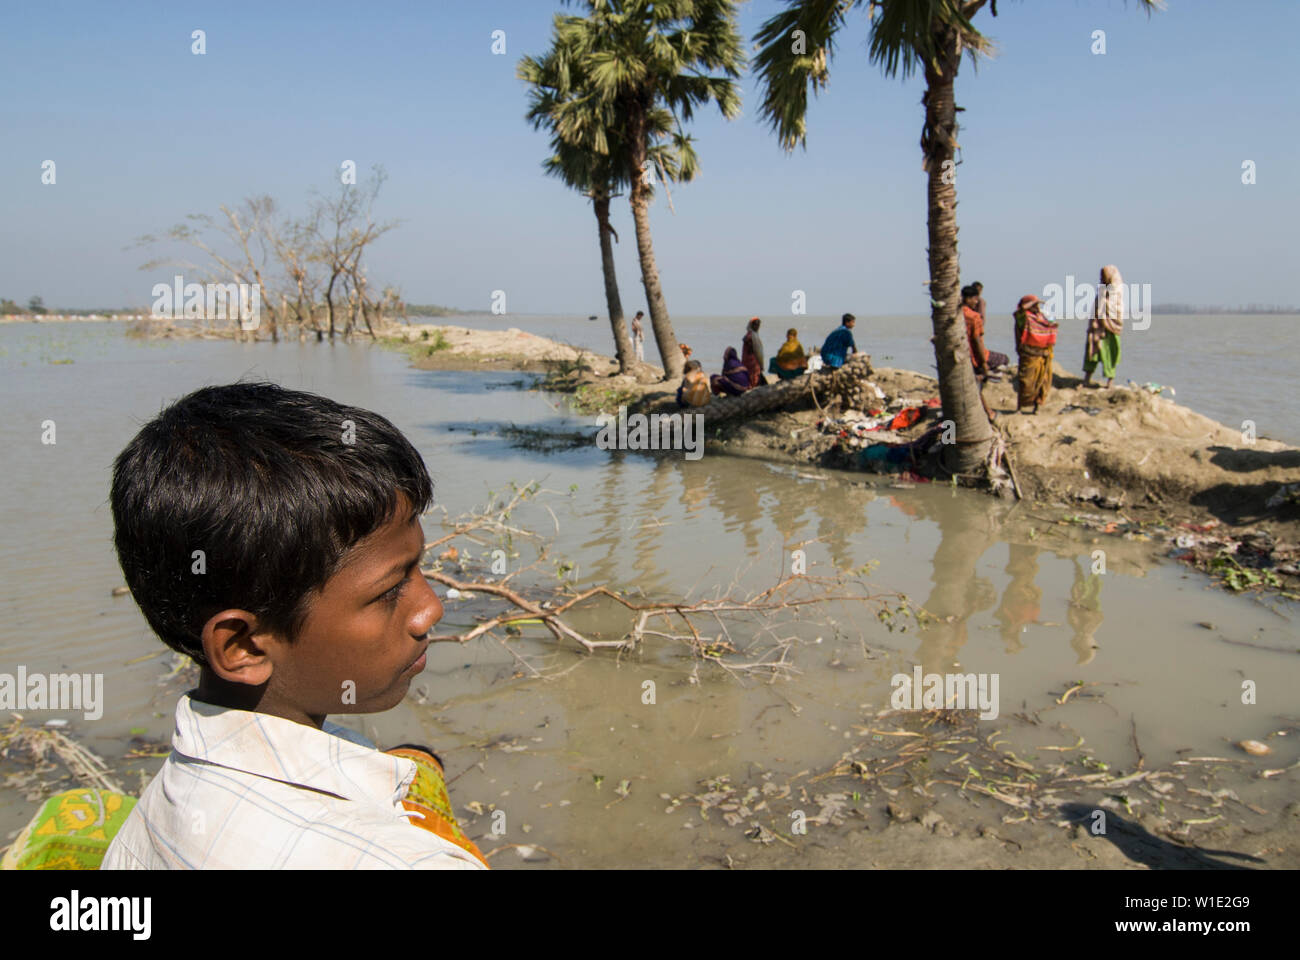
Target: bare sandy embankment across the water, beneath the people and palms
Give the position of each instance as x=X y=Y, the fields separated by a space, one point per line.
x=1124 y=451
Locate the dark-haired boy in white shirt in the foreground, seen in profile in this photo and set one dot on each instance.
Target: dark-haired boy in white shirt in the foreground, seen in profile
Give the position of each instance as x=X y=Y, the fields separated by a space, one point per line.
x=275 y=538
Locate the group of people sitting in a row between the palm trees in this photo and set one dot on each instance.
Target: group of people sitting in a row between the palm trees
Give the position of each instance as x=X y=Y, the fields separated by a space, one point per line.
x=744 y=371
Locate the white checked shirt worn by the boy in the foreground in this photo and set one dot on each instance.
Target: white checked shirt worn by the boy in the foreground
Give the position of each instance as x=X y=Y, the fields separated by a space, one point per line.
x=245 y=790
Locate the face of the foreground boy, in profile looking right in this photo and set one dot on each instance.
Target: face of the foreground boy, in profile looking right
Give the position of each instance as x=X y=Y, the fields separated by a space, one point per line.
x=365 y=639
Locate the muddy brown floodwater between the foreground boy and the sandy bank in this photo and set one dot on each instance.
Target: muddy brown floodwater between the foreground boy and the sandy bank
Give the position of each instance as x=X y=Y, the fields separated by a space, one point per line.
x=1015 y=596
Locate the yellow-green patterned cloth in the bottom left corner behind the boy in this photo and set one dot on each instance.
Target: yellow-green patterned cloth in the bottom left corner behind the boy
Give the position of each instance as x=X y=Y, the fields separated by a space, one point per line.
x=71 y=832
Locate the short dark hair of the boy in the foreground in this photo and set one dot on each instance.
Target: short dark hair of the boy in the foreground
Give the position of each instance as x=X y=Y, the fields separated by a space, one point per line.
x=274 y=486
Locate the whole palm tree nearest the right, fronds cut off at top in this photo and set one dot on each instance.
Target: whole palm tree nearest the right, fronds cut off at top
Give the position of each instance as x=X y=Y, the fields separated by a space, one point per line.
x=796 y=49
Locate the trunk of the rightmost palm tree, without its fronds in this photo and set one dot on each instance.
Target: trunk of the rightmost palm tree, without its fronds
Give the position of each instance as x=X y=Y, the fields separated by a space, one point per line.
x=959 y=390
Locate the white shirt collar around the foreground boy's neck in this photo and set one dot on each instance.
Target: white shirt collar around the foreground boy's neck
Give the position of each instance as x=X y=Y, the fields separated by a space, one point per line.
x=332 y=760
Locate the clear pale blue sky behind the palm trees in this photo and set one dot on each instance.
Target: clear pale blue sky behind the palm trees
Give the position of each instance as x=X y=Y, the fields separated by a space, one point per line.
x=1072 y=161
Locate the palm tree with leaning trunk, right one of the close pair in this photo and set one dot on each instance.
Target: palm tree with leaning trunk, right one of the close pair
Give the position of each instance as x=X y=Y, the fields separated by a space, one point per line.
x=639 y=70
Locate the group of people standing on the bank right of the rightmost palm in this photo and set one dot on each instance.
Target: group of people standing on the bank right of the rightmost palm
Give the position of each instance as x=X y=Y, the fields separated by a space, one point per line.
x=1037 y=338
